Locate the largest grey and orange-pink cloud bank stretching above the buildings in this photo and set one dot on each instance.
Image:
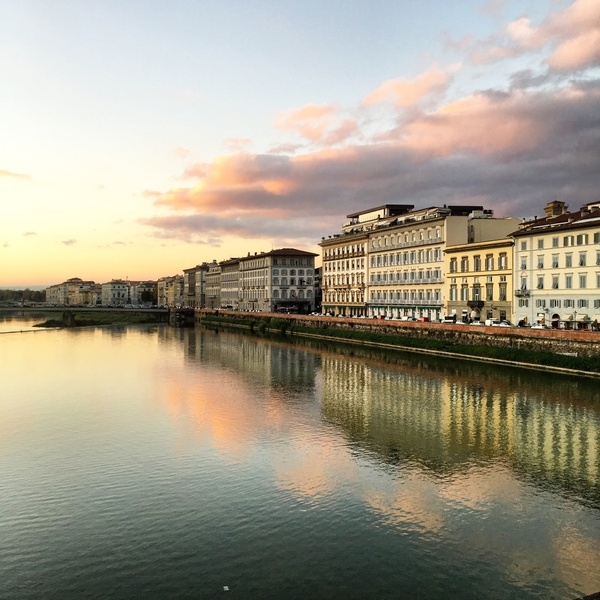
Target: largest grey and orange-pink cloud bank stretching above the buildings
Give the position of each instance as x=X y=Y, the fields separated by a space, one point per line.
x=510 y=150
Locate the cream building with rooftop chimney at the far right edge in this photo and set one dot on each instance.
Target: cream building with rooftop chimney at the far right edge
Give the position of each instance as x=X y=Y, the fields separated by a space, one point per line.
x=557 y=267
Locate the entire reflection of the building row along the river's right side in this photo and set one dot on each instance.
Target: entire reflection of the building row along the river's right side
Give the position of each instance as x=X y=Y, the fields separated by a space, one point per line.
x=443 y=415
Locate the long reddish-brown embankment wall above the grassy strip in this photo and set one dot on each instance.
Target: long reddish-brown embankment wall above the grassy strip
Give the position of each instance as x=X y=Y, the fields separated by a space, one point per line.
x=579 y=343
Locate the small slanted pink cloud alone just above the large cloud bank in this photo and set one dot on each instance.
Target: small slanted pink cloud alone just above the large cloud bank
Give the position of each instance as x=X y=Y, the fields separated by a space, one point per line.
x=410 y=92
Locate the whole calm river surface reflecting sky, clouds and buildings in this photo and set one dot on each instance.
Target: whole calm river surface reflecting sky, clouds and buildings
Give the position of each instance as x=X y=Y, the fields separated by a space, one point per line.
x=151 y=462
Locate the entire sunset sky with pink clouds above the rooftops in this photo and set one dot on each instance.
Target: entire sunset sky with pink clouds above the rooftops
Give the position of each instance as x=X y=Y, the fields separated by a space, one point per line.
x=142 y=137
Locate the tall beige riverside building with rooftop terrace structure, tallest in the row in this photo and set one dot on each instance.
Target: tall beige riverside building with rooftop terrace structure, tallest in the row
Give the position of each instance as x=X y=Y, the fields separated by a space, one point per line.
x=398 y=267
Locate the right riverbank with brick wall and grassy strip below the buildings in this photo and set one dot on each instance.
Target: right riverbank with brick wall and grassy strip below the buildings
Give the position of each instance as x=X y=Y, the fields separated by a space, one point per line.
x=570 y=352
